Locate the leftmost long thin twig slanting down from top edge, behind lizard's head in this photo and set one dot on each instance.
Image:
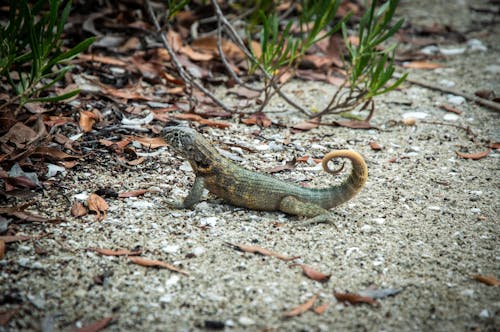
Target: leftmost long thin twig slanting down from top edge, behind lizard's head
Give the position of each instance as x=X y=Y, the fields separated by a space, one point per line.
x=184 y=75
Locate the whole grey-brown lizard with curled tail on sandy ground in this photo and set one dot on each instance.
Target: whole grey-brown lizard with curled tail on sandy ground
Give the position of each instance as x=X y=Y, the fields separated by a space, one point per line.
x=257 y=191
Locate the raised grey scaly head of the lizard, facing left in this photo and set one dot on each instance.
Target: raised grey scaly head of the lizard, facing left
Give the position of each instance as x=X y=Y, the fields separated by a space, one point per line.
x=191 y=145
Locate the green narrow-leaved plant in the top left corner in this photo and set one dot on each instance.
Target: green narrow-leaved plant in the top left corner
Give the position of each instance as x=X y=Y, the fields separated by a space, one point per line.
x=32 y=58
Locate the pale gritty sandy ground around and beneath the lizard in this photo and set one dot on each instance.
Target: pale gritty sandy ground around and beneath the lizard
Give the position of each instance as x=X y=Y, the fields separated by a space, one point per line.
x=425 y=224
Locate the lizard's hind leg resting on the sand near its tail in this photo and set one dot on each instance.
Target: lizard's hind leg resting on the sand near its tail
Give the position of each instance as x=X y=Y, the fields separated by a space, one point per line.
x=316 y=213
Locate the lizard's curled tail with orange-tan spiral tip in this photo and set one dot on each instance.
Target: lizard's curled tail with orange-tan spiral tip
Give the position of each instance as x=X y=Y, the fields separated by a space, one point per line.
x=356 y=180
